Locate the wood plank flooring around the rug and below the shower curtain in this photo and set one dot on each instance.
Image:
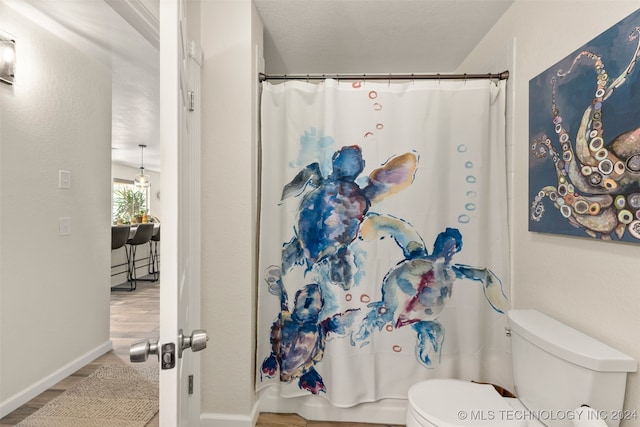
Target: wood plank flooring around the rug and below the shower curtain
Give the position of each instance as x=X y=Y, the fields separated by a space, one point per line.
x=136 y=316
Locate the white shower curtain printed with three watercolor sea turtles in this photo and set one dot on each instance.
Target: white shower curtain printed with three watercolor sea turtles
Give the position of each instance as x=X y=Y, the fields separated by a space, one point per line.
x=383 y=237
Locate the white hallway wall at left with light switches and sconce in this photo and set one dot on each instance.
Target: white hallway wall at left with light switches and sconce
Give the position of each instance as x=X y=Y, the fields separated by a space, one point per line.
x=54 y=298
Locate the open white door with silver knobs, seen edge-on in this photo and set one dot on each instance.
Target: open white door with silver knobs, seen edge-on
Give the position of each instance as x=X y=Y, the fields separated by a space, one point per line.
x=180 y=285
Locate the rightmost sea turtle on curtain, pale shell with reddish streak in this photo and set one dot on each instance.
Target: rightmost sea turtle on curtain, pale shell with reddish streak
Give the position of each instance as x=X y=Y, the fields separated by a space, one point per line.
x=415 y=291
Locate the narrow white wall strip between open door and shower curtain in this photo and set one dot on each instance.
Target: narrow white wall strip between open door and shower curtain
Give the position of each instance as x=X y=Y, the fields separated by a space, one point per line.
x=231 y=35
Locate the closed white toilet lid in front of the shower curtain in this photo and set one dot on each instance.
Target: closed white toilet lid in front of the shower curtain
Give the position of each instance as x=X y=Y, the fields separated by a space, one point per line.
x=454 y=403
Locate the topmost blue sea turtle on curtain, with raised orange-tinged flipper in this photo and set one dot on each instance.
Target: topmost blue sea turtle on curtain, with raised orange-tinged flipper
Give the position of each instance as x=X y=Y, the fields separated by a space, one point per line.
x=332 y=208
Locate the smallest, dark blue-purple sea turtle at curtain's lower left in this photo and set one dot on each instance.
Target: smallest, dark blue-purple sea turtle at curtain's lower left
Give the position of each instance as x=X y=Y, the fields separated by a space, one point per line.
x=298 y=337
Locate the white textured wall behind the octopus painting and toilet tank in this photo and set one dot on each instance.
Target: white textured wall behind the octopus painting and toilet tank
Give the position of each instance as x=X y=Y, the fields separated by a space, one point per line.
x=592 y=285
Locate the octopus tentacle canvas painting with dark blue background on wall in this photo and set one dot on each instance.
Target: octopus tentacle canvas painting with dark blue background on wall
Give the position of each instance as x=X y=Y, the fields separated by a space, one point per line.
x=584 y=137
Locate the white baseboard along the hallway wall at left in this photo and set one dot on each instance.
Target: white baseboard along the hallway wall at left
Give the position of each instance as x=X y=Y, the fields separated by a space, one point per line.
x=19 y=399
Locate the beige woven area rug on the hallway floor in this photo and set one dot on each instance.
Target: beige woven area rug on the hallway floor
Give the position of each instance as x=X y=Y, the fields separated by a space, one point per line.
x=113 y=396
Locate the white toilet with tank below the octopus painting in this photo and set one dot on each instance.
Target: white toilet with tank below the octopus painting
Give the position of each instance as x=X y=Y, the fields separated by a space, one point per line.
x=556 y=370
